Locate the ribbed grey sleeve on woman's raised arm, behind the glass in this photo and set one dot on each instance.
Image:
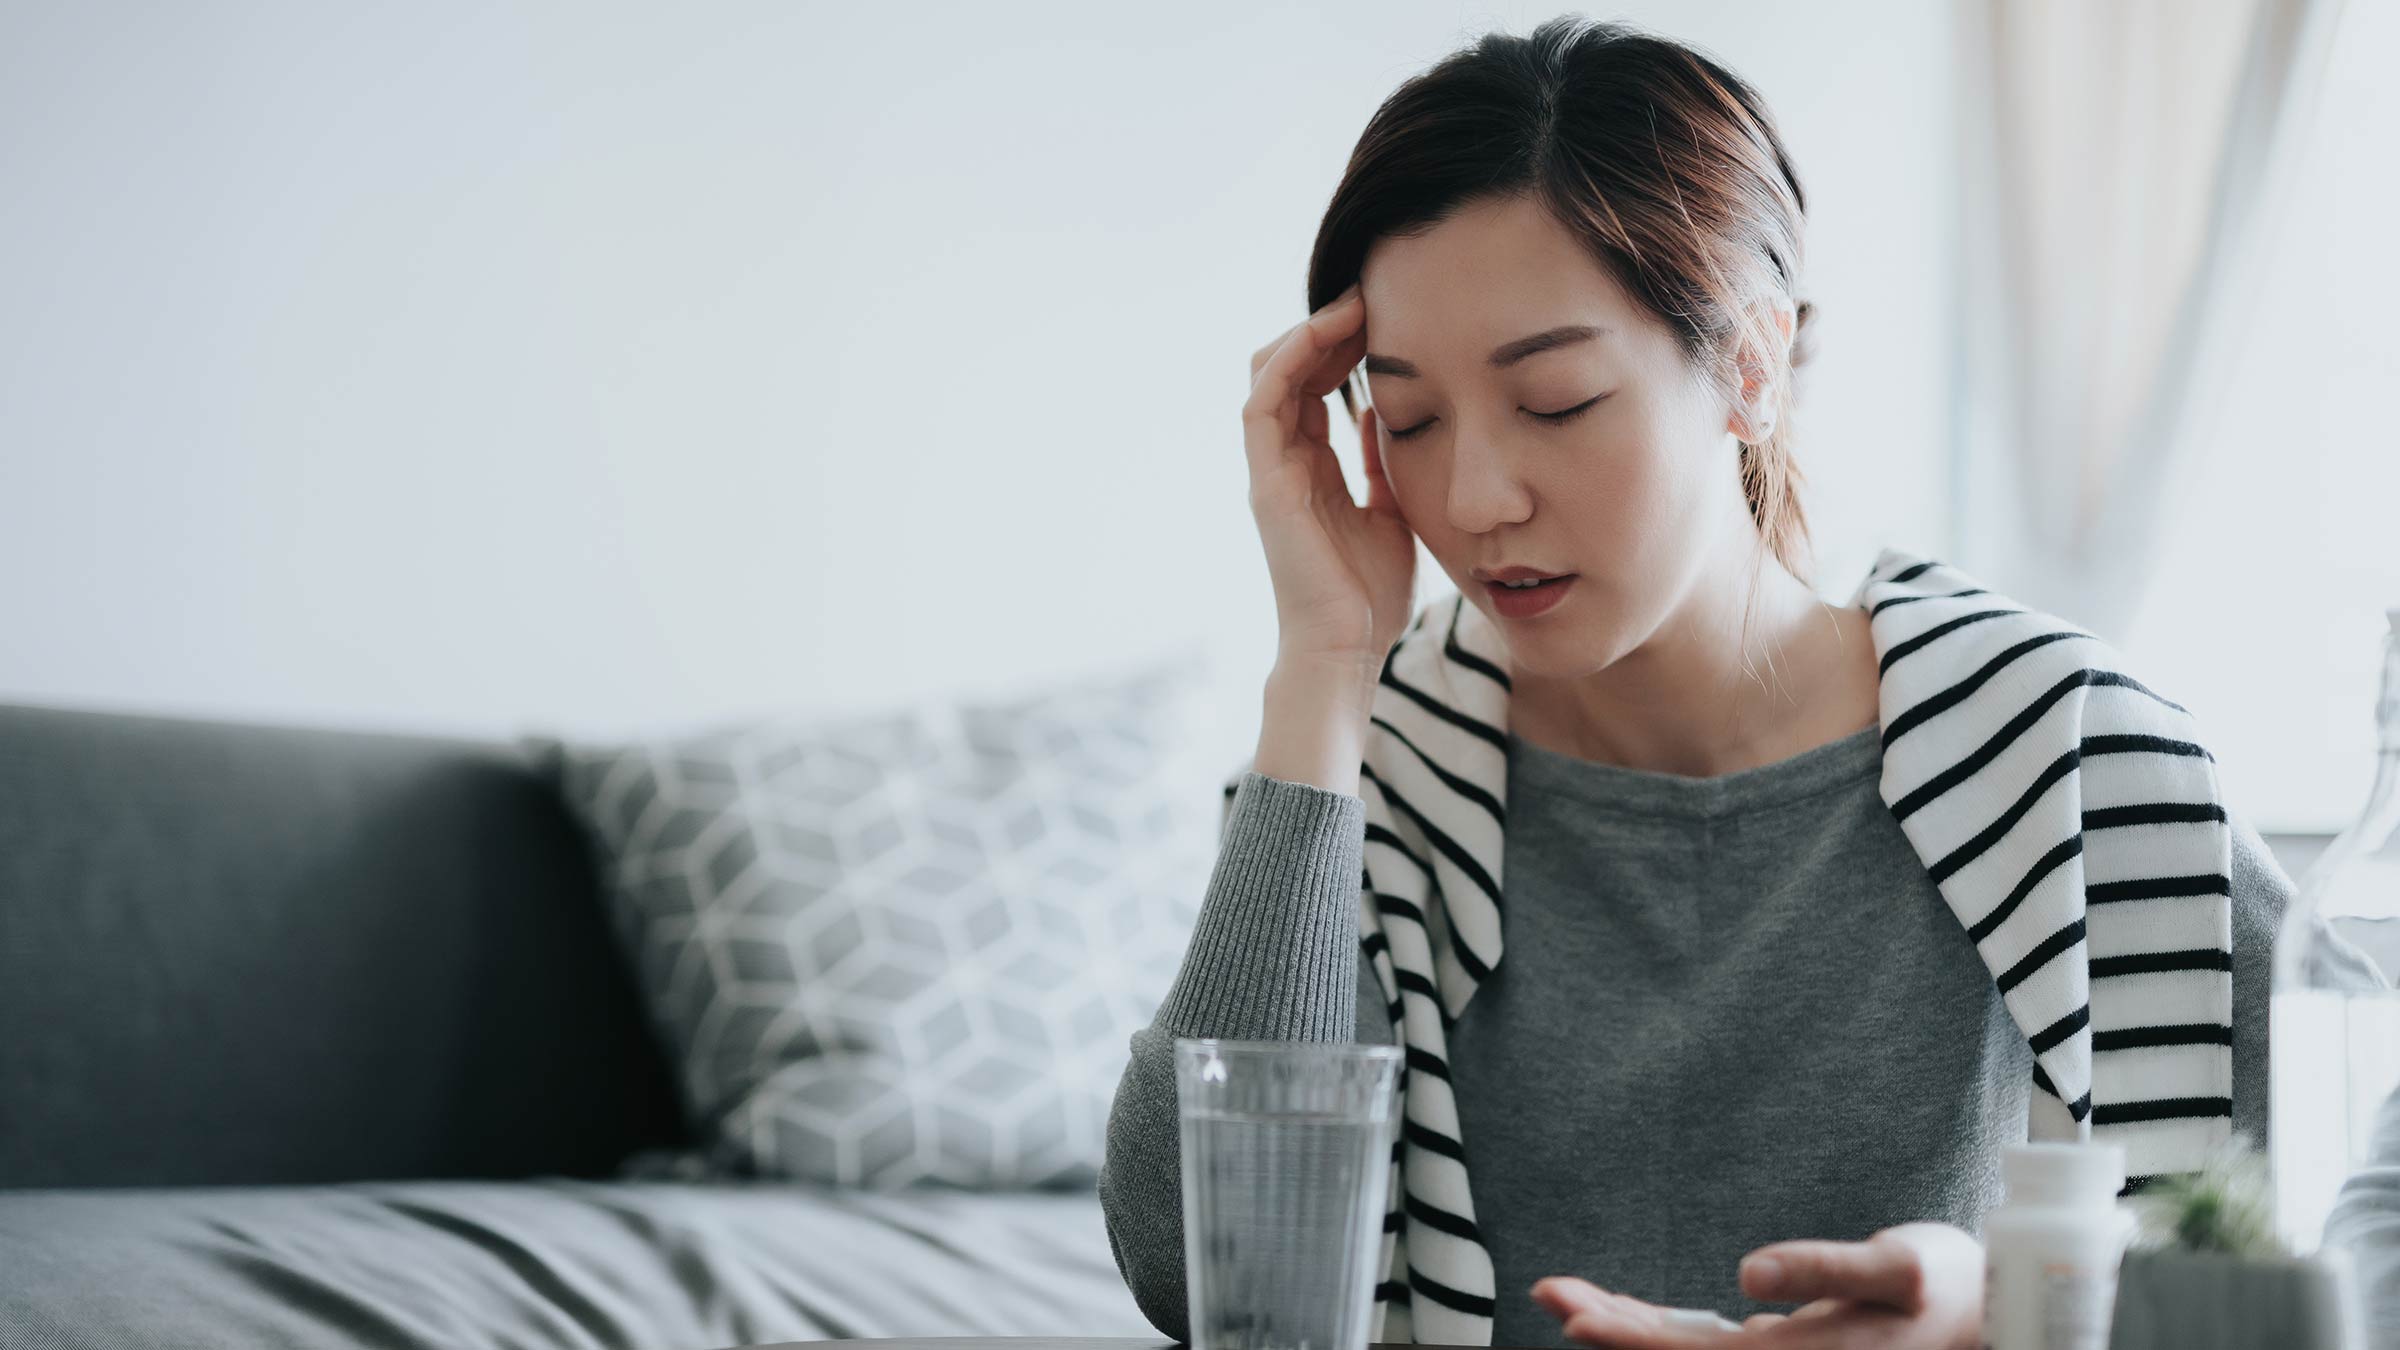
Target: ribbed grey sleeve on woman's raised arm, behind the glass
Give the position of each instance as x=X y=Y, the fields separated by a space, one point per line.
x=1273 y=957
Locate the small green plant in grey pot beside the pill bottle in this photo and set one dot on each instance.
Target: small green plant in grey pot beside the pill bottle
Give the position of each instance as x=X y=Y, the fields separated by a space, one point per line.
x=2207 y=1270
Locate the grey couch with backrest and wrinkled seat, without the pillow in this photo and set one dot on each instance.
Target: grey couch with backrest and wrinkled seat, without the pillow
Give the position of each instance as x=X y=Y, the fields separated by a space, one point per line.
x=320 y=1039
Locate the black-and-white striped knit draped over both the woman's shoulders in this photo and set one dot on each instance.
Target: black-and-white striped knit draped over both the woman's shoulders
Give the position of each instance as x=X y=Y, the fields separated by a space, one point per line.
x=2068 y=816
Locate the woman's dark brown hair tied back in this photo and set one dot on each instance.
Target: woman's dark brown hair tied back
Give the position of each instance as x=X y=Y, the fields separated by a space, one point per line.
x=1660 y=160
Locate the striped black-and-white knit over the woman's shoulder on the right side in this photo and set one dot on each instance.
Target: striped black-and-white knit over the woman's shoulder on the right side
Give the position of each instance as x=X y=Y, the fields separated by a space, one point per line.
x=2075 y=825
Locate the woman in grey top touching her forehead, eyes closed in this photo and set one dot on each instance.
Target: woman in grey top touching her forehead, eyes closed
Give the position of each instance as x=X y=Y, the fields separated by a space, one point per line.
x=1739 y=1005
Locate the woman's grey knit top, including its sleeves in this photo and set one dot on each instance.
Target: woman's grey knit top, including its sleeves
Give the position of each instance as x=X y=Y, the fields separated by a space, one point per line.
x=1736 y=1010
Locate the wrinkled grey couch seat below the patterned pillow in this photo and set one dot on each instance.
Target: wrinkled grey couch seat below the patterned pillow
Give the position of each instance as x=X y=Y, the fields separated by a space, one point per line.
x=536 y=1265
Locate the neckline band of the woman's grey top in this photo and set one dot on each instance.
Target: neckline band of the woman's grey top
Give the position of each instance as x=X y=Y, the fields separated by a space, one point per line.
x=1614 y=787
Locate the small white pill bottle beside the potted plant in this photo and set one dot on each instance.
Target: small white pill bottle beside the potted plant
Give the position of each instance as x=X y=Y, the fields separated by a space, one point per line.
x=2053 y=1248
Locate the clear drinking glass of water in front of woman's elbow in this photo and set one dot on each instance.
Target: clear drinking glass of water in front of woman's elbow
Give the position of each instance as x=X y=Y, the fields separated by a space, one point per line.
x=1288 y=1161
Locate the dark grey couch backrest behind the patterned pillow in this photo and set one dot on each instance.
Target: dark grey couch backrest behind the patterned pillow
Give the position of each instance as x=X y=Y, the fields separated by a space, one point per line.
x=287 y=955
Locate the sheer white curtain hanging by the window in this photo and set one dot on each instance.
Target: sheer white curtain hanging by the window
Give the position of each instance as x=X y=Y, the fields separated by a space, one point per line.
x=2120 y=179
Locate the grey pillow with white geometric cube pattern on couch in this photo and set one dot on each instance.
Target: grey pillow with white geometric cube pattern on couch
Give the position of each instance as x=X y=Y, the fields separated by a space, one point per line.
x=911 y=948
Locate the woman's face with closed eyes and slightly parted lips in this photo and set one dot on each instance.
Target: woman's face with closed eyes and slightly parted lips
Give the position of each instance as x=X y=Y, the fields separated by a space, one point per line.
x=1636 y=494
